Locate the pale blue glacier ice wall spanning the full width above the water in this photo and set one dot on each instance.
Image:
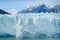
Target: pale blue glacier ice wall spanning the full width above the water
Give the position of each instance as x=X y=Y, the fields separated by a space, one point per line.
x=30 y=25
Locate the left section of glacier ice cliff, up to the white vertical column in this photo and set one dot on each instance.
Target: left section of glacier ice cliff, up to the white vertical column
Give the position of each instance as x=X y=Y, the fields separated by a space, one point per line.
x=7 y=25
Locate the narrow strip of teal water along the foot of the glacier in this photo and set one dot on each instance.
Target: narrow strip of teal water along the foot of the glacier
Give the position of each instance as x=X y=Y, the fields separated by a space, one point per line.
x=13 y=38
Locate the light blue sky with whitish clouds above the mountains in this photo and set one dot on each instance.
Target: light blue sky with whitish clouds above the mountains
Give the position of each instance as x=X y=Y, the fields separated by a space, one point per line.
x=22 y=4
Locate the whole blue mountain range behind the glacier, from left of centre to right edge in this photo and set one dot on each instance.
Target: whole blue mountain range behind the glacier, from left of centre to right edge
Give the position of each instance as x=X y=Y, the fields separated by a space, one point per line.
x=41 y=8
